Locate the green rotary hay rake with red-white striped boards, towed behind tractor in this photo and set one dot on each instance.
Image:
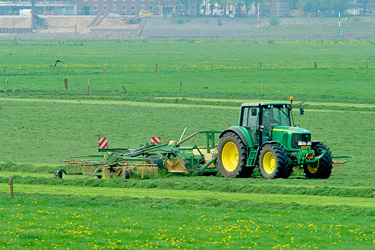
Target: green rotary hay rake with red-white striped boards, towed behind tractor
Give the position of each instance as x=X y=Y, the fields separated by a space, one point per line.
x=147 y=160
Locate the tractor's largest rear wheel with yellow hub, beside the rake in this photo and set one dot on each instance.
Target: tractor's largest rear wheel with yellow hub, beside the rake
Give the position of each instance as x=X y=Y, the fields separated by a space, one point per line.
x=231 y=156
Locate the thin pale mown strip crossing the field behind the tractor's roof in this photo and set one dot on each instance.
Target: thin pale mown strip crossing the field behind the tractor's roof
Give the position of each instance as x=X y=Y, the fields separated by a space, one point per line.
x=177 y=101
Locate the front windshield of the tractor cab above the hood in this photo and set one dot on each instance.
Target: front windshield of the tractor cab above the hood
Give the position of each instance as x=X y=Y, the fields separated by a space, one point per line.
x=276 y=116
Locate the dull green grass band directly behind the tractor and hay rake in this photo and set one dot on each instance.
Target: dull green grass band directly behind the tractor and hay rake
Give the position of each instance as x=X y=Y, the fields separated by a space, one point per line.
x=52 y=131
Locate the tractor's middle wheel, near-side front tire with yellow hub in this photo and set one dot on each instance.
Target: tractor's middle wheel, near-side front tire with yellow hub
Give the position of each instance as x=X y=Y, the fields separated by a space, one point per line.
x=274 y=162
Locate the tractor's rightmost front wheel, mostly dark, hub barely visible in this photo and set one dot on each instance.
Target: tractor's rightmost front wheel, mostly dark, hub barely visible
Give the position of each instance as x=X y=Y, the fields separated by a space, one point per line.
x=323 y=167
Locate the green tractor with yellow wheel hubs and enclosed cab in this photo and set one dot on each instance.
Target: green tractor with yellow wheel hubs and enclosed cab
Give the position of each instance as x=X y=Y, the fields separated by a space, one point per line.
x=266 y=138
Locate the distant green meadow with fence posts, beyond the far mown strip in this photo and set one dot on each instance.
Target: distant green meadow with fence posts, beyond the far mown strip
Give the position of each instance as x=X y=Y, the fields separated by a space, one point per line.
x=235 y=69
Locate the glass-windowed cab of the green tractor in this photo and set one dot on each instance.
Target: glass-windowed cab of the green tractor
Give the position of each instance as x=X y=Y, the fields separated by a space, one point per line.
x=261 y=118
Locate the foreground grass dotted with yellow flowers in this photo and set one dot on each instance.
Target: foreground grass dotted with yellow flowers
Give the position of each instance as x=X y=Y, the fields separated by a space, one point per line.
x=61 y=221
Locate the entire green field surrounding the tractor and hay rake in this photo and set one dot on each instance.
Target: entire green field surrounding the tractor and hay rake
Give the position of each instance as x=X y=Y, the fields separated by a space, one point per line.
x=42 y=124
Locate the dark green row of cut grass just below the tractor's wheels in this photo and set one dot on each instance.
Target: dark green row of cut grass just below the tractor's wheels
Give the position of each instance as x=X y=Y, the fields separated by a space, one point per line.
x=208 y=184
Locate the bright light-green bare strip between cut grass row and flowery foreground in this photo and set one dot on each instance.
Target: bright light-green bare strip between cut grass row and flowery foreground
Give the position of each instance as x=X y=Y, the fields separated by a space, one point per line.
x=306 y=200
